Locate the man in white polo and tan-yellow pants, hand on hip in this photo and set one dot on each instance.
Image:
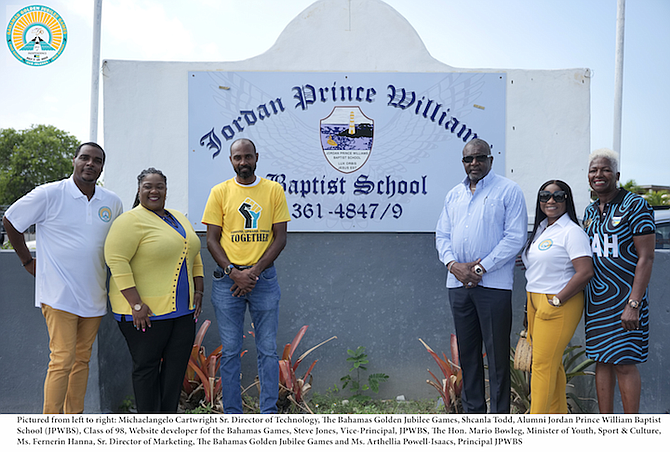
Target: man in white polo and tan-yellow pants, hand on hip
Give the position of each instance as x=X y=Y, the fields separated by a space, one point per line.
x=71 y=219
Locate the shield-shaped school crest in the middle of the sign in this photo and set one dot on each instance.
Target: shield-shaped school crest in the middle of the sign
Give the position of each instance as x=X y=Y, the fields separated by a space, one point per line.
x=346 y=138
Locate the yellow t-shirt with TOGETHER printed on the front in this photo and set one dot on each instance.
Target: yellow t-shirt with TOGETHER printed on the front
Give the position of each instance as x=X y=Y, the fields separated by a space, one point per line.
x=246 y=214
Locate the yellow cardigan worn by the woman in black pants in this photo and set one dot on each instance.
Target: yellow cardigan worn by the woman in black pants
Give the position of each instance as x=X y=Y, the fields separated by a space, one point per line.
x=143 y=251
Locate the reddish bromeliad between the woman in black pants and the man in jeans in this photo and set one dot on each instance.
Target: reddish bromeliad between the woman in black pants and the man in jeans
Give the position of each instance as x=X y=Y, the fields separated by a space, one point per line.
x=201 y=373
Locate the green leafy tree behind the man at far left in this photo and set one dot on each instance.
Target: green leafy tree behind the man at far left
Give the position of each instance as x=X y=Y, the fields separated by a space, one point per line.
x=33 y=157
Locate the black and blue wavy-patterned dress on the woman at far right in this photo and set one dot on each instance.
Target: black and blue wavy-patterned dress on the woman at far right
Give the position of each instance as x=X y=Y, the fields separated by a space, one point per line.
x=614 y=261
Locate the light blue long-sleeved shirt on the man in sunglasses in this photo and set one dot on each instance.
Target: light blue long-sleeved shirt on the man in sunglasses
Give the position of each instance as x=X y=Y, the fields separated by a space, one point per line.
x=491 y=225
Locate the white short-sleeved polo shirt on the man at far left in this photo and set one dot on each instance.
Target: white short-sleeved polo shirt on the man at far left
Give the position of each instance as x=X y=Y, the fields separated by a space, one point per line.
x=70 y=235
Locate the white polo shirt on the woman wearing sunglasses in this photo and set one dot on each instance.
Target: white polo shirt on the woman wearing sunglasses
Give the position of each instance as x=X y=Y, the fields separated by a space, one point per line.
x=549 y=258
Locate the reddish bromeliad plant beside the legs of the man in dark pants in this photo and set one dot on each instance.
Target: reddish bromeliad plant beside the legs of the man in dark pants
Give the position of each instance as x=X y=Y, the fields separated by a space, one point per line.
x=451 y=385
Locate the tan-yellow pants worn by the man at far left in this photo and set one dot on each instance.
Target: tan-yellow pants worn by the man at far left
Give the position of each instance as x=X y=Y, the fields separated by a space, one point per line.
x=70 y=340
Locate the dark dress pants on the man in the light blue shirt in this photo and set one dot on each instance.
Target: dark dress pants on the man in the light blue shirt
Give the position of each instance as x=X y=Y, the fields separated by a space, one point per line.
x=483 y=316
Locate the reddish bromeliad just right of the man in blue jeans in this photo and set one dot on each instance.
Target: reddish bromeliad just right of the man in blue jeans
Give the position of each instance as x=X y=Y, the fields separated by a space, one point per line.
x=292 y=390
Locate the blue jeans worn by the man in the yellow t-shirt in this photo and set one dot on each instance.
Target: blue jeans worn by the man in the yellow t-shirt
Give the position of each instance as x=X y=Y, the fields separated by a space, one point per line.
x=263 y=302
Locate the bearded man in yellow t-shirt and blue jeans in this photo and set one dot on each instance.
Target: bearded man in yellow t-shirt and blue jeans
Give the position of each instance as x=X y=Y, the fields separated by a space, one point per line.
x=246 y=219
